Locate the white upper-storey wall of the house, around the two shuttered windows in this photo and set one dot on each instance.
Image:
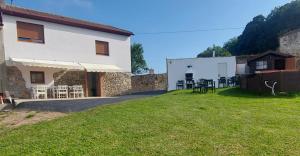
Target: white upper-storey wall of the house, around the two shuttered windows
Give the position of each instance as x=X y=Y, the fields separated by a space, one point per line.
x=66 y=43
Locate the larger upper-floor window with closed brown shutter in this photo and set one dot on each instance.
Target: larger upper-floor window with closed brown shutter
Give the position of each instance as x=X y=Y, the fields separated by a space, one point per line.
x=29 y=32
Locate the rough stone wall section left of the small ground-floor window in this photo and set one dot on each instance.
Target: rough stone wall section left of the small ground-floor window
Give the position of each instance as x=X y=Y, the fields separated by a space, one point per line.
x=16 y=84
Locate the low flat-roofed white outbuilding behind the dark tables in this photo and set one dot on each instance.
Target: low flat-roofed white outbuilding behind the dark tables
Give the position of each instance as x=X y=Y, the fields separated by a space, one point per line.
x=201 y=68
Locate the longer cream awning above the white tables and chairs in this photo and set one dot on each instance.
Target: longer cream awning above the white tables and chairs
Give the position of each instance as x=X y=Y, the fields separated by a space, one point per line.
x=46 y=63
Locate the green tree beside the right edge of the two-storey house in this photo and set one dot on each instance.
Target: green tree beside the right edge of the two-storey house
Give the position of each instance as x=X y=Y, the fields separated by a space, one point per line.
x=138 y=63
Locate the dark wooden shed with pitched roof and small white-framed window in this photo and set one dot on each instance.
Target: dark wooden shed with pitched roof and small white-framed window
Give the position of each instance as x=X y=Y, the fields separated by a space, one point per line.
x=270 y=61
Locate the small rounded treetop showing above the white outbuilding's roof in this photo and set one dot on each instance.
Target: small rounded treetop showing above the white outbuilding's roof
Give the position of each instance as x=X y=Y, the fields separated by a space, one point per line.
x=219 y=52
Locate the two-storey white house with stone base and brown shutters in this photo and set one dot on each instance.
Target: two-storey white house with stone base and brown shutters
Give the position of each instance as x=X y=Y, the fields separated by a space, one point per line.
x=41 y=48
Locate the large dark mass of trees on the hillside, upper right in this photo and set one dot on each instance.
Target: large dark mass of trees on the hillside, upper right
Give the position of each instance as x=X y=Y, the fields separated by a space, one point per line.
x=262 y=33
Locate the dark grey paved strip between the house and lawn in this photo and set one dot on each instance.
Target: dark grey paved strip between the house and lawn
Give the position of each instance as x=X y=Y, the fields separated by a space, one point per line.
x=78 y=104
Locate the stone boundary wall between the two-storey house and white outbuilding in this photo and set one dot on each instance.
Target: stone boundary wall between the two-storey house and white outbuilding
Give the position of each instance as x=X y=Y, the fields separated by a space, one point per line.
x=149 y=82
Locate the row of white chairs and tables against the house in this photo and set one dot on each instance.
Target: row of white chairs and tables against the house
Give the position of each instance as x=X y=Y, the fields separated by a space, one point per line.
x=57 y=92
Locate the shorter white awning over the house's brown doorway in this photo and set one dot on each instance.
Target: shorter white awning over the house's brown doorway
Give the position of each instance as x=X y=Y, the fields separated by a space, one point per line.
x=100 y=67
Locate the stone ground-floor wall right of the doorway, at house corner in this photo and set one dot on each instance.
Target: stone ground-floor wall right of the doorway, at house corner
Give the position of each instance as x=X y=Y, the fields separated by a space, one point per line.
x=115 y=84
